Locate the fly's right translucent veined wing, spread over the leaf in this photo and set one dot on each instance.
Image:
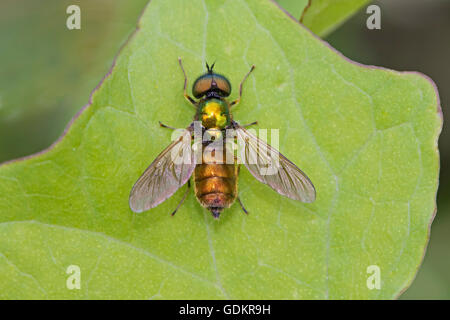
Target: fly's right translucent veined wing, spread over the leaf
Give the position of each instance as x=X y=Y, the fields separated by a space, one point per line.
x=270 y=167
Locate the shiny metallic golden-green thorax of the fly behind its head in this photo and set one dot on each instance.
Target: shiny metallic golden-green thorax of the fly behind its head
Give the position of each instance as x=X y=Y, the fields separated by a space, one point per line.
x=214 y=113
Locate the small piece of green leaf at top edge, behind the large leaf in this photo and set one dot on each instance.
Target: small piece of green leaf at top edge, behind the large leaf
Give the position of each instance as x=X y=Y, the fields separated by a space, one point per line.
x=324 y=16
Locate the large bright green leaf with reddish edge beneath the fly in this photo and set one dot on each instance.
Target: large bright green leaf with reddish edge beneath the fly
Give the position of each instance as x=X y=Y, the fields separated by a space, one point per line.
x=367 y=137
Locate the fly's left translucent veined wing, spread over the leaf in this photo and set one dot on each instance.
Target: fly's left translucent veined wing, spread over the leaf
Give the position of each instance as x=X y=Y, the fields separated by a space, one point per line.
x=167 y=173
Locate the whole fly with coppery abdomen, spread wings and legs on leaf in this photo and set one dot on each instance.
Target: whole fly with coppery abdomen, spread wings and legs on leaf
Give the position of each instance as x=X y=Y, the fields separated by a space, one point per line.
x=215 y=176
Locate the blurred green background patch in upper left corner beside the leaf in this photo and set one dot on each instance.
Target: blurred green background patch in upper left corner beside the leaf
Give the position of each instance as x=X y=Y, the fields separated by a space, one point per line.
x=48 y=71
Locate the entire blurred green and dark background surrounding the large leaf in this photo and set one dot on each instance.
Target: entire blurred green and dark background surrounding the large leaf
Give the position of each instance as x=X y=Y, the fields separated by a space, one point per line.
x=47 y=73
